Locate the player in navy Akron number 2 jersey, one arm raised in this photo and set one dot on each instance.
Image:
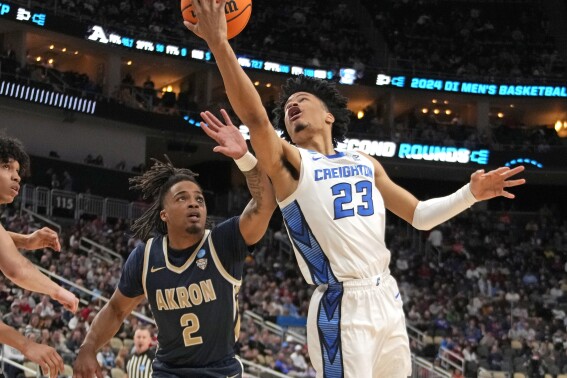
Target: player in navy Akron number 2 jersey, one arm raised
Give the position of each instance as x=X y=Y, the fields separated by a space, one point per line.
x=189 y=274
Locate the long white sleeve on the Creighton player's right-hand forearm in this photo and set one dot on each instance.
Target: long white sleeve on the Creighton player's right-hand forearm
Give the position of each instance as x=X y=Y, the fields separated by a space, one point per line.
x=435 y=211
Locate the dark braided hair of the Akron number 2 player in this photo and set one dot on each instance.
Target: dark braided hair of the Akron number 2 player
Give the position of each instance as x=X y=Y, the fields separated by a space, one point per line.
x=155 y=183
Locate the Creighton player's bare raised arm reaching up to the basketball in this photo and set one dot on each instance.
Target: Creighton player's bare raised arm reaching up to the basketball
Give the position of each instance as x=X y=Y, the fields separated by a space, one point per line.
x=242 y=94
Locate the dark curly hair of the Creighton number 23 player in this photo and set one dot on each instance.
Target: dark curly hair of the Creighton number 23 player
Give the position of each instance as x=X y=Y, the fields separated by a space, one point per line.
x=327 y=92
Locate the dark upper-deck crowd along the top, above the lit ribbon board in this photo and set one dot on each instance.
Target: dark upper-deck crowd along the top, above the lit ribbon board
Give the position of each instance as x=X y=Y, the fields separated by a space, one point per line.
x=511 y=39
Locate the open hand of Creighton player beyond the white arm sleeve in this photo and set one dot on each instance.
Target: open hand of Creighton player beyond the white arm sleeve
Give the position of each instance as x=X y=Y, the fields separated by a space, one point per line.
x=495 y=183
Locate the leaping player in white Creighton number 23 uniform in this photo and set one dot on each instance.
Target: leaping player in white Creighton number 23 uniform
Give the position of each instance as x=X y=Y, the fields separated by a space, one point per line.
x=333 y=206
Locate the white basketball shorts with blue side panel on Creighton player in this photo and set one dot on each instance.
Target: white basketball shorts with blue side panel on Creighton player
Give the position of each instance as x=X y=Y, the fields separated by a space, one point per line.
x=357 y=329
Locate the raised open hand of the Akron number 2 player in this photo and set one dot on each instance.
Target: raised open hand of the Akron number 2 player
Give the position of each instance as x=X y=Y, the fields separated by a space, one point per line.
x=230 y=140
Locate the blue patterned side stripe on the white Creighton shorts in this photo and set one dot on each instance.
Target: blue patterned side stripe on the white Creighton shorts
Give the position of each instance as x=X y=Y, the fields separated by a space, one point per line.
x=329 y=328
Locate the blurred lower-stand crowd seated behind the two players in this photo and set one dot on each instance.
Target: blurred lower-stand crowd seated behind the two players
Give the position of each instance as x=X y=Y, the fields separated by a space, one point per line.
x=489 y=286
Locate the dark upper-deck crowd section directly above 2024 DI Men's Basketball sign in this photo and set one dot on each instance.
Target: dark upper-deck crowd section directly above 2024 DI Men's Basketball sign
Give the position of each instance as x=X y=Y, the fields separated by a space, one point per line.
x=482 y=40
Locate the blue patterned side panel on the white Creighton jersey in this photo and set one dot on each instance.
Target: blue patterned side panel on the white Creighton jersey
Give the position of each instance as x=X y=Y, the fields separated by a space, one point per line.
x=305 y=242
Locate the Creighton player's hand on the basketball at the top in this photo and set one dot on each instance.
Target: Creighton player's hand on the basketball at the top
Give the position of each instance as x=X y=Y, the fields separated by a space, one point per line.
x=211 y=24
